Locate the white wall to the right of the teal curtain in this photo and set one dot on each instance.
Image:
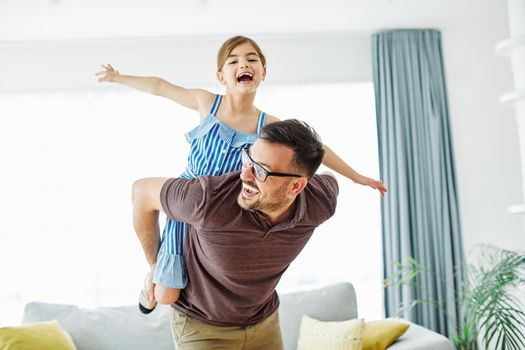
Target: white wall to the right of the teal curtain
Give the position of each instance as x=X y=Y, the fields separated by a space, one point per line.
x=484 y=132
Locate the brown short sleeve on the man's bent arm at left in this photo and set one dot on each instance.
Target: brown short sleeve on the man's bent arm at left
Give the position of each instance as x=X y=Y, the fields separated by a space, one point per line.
x=184 y=200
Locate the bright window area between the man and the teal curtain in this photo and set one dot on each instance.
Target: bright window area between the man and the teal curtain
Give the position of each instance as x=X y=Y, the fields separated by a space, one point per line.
x=348 y=246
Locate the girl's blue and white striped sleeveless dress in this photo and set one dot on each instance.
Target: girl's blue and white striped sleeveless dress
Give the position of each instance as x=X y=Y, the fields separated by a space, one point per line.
x=215 y=150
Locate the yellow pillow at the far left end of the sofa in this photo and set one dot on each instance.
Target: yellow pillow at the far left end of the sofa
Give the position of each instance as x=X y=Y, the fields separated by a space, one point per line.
x=36 y=336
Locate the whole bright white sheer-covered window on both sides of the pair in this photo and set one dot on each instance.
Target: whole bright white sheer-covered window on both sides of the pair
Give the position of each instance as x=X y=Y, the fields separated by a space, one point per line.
x=66 y=168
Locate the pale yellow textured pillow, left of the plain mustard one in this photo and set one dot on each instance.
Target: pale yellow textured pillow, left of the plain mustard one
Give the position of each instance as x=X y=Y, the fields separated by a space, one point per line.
x=318 y=335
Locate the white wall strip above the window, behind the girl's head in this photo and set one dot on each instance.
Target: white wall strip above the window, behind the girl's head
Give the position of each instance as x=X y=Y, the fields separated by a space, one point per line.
x=292 y=59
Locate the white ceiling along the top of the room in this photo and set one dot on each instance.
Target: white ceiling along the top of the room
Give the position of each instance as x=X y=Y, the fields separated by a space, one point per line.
x=34 y=20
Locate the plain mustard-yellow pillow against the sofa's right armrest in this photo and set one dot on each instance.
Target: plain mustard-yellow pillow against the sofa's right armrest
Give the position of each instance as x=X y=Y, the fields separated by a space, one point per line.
x=379 y=335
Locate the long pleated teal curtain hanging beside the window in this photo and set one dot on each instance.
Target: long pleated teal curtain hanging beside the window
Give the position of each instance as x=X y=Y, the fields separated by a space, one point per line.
x=420 y=214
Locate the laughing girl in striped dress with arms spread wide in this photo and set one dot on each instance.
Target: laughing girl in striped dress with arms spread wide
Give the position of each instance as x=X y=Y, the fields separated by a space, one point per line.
x=228 y=124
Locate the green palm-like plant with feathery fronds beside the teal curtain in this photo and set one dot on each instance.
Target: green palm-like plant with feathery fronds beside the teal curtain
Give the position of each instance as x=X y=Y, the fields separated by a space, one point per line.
x=491 y=312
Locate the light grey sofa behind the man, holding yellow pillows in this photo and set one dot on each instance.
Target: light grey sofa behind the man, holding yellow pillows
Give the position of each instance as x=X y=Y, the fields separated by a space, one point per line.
x=124 y=327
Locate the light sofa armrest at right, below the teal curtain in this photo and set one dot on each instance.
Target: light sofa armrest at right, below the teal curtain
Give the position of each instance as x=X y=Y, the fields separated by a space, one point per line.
x=418 y=337
